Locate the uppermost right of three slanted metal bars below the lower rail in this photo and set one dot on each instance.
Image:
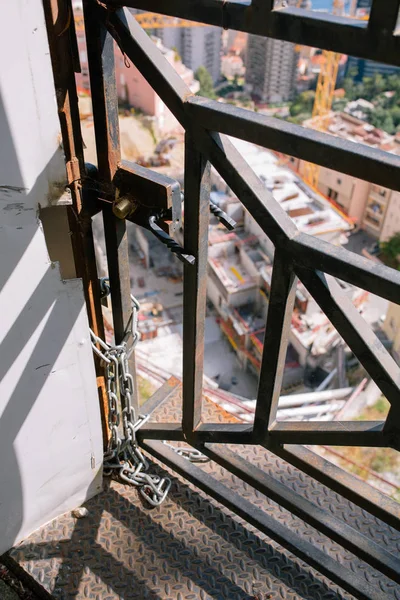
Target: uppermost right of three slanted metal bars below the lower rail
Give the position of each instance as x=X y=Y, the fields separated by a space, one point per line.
x=349 y=486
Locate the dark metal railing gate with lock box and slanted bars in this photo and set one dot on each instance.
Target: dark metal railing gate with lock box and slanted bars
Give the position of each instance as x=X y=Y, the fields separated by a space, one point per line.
x=297 y=255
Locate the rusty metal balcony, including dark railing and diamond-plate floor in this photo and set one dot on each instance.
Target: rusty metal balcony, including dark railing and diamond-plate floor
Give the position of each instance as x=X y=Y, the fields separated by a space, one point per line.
x=255 y=512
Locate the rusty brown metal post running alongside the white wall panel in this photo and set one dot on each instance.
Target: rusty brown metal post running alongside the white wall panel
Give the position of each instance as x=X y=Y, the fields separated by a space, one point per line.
x=57 y=15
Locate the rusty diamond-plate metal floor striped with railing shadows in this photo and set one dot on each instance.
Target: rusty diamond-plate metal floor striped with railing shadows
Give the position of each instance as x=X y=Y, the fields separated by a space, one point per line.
x=191 y=547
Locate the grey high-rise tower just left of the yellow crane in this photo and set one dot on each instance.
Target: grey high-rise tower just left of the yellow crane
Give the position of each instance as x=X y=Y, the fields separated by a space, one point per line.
x=271 y=66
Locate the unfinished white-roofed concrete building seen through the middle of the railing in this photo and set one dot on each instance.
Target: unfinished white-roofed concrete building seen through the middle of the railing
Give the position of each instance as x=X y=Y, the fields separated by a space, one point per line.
x=240 y=269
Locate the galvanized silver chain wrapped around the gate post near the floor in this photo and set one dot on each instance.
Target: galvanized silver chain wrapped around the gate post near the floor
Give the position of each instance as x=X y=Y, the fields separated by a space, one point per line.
x=123 y=454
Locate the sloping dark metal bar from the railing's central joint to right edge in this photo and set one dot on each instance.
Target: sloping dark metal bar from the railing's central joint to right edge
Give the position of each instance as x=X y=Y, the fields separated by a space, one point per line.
x=313 y=253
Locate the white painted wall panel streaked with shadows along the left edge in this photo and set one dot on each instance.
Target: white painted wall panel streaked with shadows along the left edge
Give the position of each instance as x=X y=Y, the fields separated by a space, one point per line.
x=50 y=431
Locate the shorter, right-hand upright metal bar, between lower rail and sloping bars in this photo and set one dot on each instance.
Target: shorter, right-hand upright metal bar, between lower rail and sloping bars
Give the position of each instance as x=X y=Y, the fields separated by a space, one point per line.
x=279 y=318
